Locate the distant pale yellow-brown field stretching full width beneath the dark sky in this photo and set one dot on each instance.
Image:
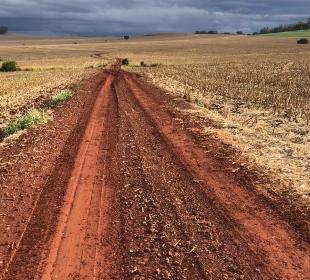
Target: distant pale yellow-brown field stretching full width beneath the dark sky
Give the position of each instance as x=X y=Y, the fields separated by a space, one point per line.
x=177 y=49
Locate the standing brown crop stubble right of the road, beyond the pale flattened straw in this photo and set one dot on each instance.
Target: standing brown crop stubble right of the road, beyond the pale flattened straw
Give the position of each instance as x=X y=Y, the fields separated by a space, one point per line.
x=281 y=85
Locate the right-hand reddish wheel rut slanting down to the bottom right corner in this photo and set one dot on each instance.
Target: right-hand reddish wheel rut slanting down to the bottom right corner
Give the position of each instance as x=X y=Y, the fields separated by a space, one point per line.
x=258 y=224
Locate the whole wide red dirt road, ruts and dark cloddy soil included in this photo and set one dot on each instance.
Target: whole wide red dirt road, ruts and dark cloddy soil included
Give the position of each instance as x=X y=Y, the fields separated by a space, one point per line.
x=134 y=195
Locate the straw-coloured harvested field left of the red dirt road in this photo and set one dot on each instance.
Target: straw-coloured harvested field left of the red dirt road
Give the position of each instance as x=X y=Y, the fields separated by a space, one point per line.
x=23 y=90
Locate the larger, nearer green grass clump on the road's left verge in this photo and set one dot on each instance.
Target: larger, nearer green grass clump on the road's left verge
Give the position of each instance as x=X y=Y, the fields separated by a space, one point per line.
x=30 y=119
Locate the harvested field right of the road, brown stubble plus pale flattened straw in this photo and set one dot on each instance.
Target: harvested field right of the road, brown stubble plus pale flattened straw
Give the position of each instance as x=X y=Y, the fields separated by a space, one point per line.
x=259 y=106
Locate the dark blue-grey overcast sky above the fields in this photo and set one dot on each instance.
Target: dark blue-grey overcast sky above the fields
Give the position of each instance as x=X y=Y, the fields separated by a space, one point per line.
x=146 y=16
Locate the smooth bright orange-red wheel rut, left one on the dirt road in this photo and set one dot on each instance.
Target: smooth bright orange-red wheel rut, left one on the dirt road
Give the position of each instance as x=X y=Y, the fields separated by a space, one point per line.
x=75 y=249
